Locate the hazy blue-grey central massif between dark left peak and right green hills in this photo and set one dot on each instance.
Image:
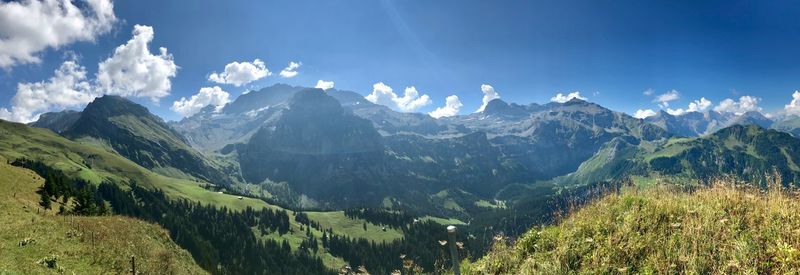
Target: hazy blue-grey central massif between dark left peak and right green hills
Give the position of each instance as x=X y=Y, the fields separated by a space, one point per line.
x=336 y=146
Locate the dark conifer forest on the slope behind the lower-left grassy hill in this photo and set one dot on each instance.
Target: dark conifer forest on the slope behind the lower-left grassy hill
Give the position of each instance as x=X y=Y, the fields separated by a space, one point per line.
x=220 y=240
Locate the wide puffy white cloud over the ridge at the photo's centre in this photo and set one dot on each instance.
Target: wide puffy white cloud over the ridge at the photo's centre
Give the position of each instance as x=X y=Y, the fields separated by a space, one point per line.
x=410 y=101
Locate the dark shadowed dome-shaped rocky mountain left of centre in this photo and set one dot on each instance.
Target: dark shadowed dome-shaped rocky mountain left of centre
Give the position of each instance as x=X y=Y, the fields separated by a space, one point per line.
x=316 y=146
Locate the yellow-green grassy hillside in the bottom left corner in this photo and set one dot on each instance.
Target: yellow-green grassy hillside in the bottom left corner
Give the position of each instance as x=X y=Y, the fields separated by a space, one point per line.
x=83 y=245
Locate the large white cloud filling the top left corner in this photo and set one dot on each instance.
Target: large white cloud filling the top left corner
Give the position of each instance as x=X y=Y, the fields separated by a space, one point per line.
x=29 y=27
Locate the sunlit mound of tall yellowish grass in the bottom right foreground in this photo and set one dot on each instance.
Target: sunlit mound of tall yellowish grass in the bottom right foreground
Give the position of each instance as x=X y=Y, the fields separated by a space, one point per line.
x=725 y=228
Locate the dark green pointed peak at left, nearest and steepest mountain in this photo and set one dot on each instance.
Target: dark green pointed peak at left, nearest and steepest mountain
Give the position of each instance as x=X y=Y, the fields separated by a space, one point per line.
x=133 y=132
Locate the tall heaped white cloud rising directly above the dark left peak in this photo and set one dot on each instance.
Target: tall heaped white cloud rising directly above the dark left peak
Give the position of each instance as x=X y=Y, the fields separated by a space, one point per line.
x=134 y=71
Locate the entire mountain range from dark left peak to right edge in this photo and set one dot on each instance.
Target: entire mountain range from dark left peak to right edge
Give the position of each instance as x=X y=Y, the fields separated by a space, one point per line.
x=334 y=149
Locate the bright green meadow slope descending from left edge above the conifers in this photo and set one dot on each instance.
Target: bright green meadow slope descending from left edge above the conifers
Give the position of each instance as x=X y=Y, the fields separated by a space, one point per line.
x=89 y=161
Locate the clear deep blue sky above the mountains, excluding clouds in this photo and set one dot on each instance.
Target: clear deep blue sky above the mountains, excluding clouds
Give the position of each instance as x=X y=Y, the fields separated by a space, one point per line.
x=609 y=51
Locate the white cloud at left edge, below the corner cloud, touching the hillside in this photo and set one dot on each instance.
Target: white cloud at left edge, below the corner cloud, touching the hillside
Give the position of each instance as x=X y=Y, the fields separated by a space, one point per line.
x=68 y=87
